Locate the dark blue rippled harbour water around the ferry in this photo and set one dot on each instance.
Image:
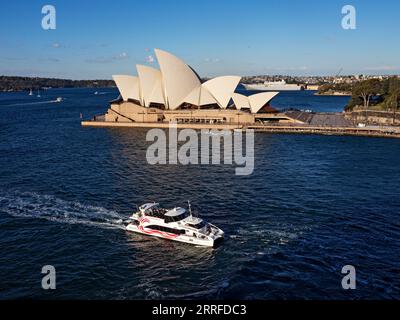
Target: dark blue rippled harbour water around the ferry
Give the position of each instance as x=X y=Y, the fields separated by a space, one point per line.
x=313 y=205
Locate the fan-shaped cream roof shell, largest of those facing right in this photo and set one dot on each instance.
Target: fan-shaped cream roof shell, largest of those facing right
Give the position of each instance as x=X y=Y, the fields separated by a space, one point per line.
x=222 y=88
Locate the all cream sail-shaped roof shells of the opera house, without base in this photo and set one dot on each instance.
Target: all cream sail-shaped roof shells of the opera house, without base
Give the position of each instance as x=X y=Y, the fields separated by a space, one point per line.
x=176 y=84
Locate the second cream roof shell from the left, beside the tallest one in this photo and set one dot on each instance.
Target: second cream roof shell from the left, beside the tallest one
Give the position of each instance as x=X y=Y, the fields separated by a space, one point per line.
x=151 y=85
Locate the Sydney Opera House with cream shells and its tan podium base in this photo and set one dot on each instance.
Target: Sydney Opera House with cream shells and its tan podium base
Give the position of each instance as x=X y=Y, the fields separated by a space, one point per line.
x=176 y=93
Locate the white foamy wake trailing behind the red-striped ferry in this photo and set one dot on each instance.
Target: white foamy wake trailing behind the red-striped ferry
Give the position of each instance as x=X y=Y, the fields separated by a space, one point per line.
x=33 y=205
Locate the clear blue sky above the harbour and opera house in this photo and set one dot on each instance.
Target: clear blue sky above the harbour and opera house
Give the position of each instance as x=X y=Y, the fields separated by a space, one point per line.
x=95 y=39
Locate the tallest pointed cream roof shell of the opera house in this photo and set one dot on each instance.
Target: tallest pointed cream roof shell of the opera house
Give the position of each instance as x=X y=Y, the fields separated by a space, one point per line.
x=178 y=78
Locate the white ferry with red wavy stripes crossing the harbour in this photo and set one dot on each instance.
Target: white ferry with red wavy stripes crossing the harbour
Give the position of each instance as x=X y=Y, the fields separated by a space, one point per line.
x=176 y=224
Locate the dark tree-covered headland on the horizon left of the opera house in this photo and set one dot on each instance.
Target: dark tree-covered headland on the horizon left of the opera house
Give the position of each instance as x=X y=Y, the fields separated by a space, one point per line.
x=26 y=83
